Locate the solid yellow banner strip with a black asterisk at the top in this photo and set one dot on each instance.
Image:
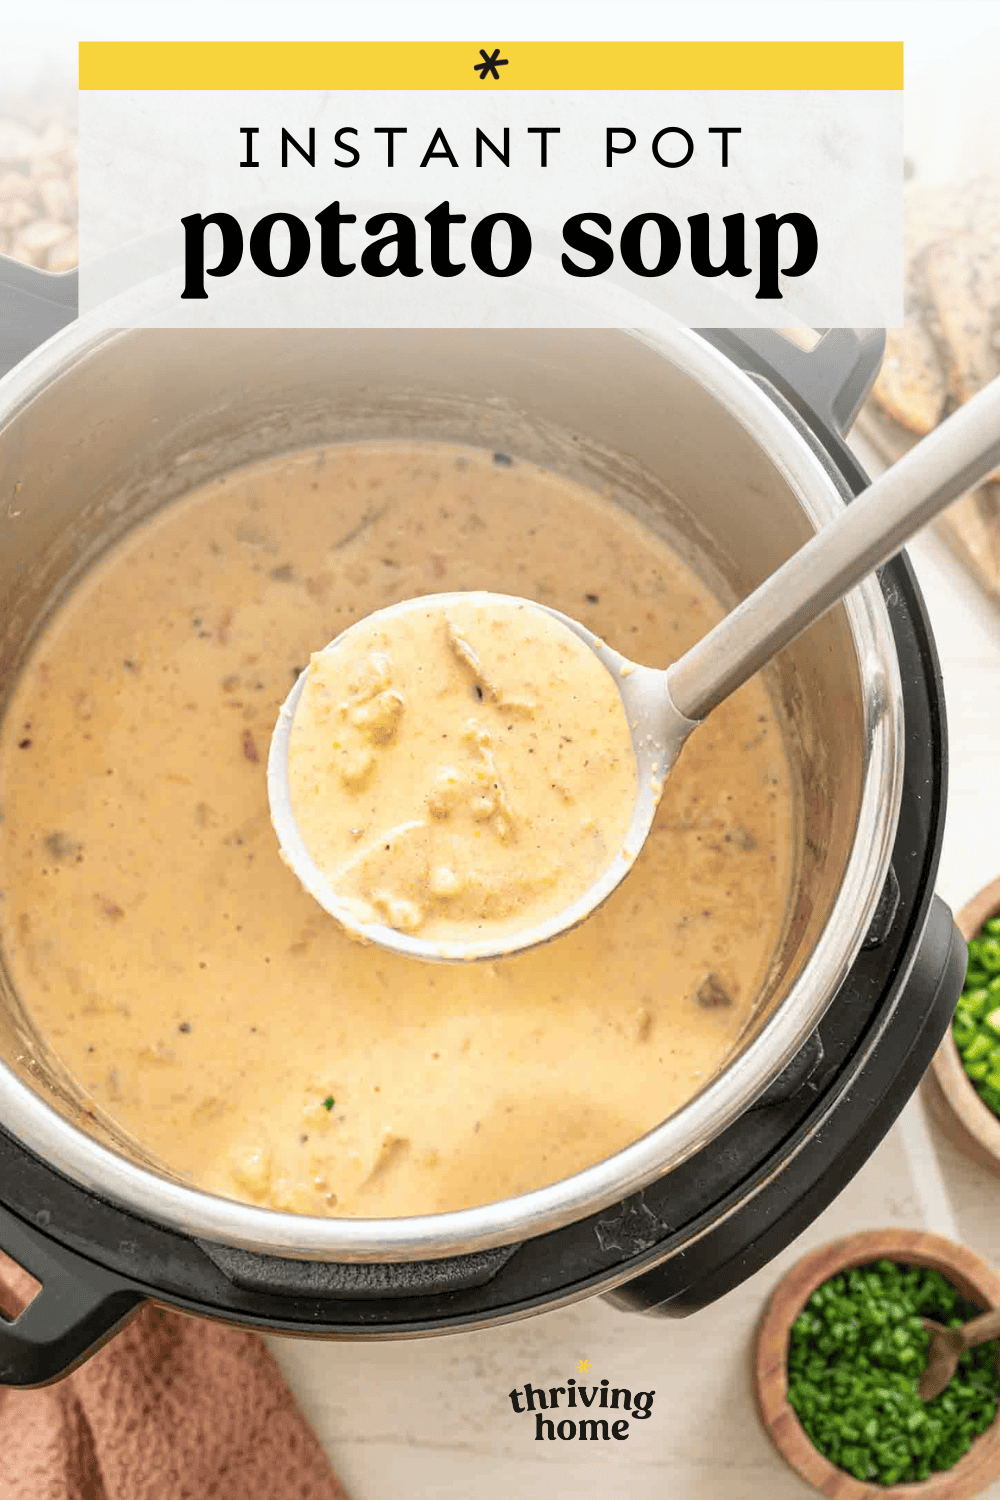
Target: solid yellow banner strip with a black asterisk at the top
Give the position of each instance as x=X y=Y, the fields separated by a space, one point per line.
x=513 y=65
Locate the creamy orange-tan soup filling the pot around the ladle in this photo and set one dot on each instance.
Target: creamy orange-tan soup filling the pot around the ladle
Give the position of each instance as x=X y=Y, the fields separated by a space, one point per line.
x=205 y=1000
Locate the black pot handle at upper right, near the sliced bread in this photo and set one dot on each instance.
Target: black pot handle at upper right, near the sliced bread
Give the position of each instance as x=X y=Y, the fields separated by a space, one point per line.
x=827 y=385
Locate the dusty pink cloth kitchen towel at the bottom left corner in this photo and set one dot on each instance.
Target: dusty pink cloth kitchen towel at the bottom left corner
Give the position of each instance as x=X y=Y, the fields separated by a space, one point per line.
x=172 y=1409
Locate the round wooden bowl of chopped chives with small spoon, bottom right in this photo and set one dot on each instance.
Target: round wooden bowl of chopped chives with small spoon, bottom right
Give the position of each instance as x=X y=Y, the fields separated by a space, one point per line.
x=971 y=1276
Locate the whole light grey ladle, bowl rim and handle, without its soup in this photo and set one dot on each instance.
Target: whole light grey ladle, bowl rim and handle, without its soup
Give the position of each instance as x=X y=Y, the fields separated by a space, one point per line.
x=665 y=707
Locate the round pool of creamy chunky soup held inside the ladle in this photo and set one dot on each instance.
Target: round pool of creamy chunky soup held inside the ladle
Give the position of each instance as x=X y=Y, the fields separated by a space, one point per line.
x=461 y=770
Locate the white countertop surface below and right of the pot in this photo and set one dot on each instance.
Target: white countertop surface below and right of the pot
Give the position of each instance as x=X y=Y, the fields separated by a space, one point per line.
x=433 y=1417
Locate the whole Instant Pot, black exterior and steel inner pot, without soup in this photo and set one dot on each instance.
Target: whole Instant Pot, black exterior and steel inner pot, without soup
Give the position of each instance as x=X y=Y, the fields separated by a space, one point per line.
x=735 y=440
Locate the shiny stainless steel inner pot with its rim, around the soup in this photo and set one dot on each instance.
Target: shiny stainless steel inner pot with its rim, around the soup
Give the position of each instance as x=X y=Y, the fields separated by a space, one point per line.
x=100 y=430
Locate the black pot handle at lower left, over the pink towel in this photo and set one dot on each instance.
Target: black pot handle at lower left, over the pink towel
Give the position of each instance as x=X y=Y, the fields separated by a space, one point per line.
x=80 y=1307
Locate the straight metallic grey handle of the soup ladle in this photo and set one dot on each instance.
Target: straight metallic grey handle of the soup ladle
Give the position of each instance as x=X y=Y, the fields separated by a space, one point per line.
x=870 y=532
